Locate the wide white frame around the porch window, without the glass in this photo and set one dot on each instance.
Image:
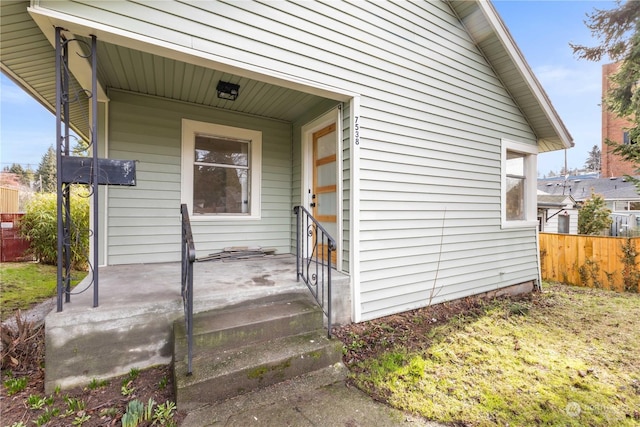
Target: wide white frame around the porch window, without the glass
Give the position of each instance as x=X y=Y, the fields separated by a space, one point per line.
x=191 y=128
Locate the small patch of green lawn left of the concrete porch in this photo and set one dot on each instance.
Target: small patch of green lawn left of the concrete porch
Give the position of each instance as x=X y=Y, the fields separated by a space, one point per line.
x=22 y=285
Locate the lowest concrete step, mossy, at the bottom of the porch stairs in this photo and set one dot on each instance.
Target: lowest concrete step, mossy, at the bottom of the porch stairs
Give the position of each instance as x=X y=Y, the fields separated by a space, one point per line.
x=221 y=375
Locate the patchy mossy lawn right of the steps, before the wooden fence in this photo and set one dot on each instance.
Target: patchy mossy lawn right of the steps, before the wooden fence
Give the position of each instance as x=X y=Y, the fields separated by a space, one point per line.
x=564 y=357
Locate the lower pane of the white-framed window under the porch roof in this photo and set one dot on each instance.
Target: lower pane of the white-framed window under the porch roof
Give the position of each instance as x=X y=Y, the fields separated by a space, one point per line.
x=220 y=190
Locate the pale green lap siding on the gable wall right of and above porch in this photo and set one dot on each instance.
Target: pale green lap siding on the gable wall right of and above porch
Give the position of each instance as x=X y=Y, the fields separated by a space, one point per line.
x=432 y=115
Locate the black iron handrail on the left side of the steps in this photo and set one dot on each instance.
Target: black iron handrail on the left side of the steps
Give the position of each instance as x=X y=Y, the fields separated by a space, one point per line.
x=188 y=258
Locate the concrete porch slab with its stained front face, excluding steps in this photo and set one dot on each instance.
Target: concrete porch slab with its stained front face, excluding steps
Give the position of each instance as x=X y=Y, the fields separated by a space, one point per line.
x=138 y=303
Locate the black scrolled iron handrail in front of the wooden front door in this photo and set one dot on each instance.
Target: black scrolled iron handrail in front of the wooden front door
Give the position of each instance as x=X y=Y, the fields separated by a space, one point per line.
x=314 y=249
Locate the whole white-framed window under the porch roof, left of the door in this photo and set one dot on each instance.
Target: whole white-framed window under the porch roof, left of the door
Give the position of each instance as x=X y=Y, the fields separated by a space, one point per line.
x=220 y=170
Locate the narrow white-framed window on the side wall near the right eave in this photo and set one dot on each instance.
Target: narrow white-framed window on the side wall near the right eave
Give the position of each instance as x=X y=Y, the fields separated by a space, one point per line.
x=518 y=192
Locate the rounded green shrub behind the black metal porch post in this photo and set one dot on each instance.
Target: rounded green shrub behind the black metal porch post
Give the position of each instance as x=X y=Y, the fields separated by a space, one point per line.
x=39 y=225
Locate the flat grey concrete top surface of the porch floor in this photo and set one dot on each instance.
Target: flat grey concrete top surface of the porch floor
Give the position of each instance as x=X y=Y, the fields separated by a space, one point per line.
x=215 y=284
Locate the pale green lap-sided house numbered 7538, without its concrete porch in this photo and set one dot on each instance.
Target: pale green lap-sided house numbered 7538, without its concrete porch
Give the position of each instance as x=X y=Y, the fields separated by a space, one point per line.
x=425 y=118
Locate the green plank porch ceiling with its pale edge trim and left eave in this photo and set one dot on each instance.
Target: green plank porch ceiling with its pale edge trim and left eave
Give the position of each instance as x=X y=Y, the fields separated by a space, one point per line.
x=28 y=58
